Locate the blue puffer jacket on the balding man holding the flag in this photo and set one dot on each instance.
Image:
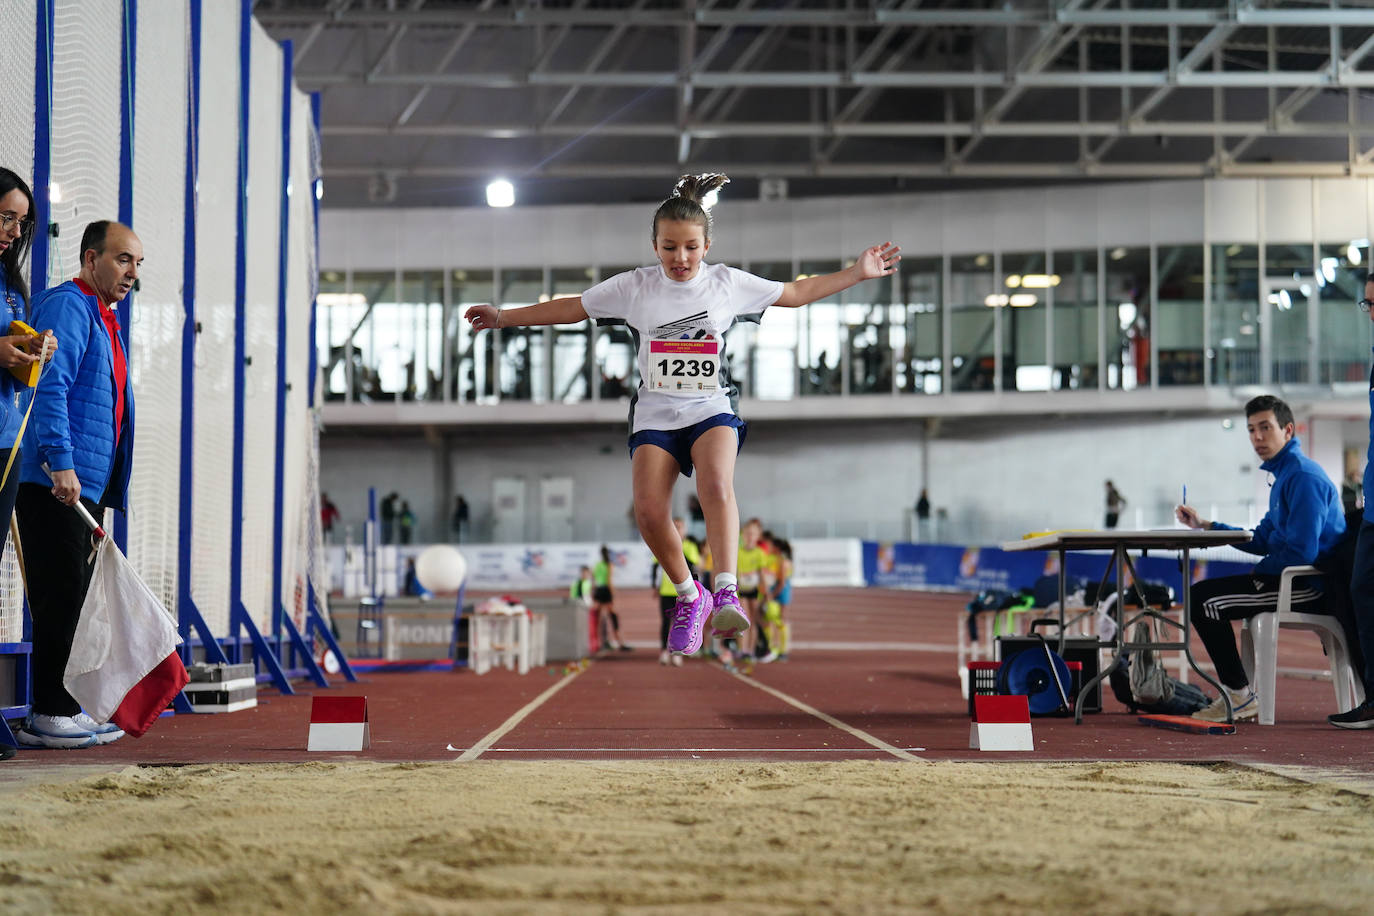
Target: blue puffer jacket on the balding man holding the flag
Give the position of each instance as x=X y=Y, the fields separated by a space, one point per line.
x=74 y=414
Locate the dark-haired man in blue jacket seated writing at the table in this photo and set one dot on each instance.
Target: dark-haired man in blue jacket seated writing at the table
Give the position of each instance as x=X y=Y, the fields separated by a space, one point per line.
x=1306 y=521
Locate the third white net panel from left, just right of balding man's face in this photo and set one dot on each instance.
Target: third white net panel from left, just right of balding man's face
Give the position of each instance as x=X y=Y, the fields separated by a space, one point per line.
x=159 y=308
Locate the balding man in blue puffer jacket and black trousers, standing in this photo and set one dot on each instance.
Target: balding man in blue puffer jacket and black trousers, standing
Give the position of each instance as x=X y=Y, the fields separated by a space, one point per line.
x=79 y=447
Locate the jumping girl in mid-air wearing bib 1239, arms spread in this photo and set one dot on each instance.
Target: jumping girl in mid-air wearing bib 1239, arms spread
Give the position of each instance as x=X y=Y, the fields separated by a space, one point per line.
x=684 y=414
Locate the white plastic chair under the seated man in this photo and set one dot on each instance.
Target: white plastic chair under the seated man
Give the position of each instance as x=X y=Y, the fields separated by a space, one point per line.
x=1261 y=642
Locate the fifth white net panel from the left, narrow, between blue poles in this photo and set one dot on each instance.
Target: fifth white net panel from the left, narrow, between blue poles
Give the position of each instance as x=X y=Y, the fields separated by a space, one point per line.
x=262 y=325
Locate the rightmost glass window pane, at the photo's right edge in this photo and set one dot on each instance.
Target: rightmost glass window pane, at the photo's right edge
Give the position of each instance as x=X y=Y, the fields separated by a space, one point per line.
x=1344 y=333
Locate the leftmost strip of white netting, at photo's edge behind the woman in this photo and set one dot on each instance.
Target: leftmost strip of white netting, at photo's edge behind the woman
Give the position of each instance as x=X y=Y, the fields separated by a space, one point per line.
x=19 y=25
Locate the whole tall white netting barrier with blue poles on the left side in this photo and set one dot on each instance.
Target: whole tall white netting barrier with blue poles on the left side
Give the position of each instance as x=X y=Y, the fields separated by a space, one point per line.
x=188 y=62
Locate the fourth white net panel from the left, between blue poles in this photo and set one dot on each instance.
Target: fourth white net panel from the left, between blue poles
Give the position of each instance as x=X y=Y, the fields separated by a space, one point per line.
x=215 y=303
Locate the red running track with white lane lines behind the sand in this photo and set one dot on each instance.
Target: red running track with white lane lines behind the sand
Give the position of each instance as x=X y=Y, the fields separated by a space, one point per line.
x=872 y=678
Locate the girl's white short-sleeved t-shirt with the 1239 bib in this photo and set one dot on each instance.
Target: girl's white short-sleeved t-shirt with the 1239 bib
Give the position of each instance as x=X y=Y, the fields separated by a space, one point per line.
x=679 y=330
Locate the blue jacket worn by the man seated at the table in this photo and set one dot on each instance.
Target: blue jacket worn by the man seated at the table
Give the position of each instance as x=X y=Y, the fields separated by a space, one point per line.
x=1306 y=518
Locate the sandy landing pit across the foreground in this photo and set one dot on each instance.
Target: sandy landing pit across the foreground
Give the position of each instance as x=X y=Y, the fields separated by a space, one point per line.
x=688 y=838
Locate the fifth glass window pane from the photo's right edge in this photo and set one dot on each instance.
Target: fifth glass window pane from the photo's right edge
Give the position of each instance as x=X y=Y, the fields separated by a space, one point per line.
x=1127 y=328
